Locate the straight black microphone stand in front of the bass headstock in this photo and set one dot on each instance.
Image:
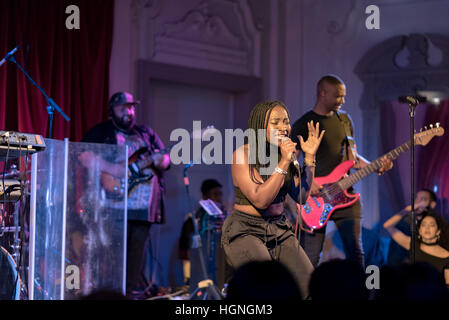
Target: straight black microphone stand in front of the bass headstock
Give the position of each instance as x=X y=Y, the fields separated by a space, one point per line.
x=412 y=107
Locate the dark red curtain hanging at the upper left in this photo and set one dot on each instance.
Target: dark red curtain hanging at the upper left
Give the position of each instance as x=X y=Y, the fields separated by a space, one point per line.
x=72 y=66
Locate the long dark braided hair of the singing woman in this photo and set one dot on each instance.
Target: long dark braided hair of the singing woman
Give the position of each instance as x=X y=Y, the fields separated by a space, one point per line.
x=258 y=119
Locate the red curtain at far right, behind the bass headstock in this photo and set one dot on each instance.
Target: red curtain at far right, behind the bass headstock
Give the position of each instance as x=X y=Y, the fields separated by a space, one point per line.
x=434 y=163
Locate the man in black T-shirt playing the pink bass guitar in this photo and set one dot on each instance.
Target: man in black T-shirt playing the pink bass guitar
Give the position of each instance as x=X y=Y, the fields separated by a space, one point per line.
x=337 y=146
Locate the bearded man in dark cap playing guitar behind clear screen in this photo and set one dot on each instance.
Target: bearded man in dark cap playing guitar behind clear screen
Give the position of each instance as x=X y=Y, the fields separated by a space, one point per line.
x=146 y=199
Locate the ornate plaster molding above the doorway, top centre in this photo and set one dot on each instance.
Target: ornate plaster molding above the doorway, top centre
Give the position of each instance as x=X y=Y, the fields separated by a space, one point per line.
x=217 y=35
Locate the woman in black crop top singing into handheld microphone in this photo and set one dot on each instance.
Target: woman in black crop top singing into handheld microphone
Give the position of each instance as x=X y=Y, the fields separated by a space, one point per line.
x=257 y=229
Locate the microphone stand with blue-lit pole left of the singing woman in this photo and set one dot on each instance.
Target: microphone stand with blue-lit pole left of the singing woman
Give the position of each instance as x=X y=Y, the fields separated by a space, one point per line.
x=206 y=283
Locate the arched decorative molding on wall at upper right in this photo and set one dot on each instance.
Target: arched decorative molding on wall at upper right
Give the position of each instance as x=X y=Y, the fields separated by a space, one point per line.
x=403 y=65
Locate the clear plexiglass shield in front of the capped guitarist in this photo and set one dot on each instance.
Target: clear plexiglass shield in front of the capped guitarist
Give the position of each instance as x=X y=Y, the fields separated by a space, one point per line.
x=77 y=220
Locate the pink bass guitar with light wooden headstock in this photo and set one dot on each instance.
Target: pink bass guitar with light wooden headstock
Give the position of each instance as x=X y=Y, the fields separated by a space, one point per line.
x=318 y=209
